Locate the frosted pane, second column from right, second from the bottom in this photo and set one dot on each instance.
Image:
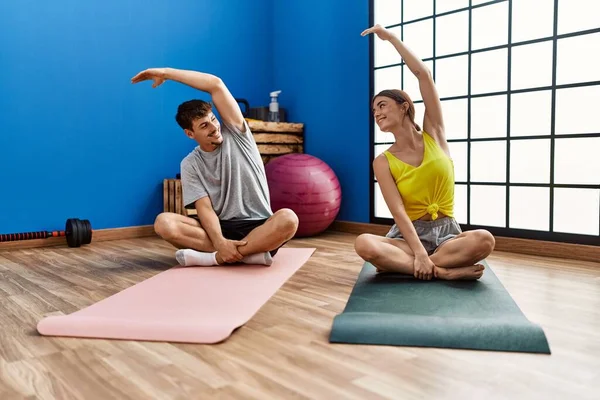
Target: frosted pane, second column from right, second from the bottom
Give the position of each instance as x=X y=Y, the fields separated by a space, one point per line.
x=530 y=161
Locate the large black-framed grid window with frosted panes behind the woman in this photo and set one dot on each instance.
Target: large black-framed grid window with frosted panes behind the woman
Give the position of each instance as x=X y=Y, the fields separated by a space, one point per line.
x=519 y=82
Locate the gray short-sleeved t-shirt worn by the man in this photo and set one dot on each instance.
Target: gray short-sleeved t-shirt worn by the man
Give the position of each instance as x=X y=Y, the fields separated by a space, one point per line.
x=233 y=176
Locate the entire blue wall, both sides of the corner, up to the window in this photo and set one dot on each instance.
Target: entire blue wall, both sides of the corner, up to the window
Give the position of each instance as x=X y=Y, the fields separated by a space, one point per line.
x=78 y=140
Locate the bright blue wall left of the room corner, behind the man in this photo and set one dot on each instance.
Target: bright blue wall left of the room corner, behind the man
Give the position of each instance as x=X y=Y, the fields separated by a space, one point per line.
x=76 y=138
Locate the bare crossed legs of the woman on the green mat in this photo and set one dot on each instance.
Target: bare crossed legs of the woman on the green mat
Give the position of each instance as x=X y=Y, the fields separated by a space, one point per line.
x=455 y=259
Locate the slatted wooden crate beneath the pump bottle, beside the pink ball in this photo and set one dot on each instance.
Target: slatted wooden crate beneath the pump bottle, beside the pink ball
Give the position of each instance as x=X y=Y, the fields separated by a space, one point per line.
x=275 y=139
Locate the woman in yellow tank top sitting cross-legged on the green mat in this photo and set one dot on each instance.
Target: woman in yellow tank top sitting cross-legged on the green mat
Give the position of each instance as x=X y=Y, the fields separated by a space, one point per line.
x=416 y=177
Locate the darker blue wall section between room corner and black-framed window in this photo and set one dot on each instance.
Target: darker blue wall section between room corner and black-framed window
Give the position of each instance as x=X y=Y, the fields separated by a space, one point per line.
x=321 y=64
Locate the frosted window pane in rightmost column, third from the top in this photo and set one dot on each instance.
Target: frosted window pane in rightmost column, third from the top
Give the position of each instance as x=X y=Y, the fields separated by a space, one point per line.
x=577 y=110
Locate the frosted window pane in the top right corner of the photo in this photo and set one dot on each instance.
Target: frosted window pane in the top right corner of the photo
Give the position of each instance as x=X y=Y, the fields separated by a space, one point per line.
x=577 y=15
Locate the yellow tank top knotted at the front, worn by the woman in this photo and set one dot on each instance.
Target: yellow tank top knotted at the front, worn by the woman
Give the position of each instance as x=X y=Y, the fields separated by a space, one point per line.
x=428 y=188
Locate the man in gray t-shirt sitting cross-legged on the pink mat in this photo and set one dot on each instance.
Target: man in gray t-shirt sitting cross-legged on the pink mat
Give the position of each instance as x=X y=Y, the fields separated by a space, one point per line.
x=224 y=179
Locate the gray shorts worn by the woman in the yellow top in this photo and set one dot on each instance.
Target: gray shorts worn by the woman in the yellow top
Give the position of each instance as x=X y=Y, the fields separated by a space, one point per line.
x=431 y=233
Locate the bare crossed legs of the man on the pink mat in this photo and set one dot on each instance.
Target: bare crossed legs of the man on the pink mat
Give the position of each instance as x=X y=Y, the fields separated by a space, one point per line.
x=187 y=233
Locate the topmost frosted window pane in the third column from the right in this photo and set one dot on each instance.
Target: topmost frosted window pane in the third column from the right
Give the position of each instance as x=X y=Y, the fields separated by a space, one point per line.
x=489 y=26
